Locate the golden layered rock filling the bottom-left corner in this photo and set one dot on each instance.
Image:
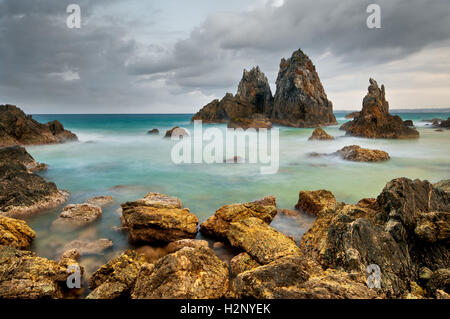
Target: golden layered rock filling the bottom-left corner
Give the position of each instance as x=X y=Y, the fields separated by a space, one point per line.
x=26 y=276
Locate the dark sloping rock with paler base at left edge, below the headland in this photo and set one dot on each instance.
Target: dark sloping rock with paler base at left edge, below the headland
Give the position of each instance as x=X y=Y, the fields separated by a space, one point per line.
x=23 y=193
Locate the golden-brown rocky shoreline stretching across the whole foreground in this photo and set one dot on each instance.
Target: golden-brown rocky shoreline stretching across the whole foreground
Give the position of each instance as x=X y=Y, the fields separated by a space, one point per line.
x=404 y=231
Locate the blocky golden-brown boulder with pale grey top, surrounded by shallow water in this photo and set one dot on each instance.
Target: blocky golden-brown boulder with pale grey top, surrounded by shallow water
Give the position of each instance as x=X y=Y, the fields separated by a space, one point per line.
x=158 y=218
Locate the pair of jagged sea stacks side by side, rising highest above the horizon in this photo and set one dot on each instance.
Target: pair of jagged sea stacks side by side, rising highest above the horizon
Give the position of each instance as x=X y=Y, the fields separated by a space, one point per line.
x=300 y=100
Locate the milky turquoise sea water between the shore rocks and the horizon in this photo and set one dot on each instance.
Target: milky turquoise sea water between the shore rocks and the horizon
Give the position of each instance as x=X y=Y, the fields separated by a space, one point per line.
x=116 y=157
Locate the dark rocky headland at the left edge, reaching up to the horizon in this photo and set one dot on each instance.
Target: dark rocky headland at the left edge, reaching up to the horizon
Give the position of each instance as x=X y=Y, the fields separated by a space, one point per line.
x=17 y=128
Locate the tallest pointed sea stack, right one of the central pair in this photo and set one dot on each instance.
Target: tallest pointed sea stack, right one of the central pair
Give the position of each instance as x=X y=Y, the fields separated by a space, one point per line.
x=300 y=99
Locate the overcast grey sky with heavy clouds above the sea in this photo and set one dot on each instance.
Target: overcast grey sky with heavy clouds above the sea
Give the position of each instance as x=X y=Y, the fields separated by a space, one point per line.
x=174 y=56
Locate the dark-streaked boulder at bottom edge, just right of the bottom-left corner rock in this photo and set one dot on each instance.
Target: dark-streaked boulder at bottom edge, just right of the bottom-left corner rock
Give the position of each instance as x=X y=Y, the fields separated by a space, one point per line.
x=116 y=279
